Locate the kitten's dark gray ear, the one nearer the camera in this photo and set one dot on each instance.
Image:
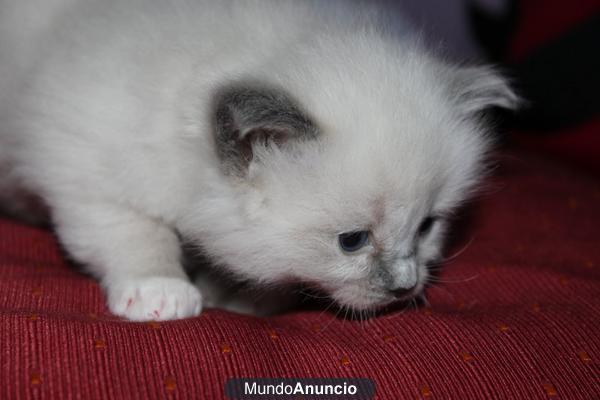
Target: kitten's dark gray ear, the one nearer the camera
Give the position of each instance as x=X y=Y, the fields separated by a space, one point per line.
x=247 y=116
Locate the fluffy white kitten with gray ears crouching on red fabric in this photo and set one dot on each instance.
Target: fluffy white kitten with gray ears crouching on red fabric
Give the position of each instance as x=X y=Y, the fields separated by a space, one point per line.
x=290 y=141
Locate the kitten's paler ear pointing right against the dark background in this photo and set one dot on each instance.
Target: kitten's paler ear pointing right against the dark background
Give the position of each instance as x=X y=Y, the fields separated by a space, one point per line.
x=478 y=88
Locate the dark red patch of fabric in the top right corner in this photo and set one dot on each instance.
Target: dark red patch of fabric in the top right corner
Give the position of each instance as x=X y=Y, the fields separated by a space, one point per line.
x=541 y=21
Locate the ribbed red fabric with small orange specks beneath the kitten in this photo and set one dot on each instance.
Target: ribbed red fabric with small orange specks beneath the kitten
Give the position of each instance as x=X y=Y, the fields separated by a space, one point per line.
x=518 y=317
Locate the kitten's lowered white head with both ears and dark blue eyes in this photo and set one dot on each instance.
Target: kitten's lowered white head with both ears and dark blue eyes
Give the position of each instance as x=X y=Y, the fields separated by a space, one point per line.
x=348 y=186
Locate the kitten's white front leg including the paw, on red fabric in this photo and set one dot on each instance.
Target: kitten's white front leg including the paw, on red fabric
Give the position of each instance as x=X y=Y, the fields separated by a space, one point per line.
x=136 y=258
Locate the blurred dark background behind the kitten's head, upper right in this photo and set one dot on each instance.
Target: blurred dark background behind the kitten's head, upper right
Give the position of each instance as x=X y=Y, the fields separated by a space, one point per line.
x=550 y=50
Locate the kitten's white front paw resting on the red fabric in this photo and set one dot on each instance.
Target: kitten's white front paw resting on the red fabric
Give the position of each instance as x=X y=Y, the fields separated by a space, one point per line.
x=155 y=298
